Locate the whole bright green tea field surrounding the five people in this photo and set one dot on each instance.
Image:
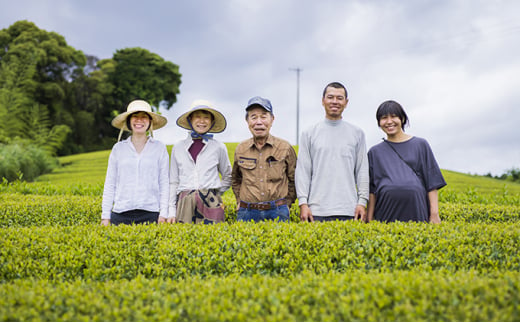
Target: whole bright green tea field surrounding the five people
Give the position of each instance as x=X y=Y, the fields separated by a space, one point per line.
x=58 y=264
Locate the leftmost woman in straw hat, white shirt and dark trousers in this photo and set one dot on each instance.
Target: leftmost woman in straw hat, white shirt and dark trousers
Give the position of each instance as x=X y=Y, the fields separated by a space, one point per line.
x=136 y=185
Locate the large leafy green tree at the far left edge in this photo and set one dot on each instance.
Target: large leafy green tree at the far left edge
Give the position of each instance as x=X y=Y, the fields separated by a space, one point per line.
x=35 y=69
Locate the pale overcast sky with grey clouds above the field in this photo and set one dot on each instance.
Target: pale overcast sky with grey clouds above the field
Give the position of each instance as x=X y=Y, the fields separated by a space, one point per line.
x=453 y=65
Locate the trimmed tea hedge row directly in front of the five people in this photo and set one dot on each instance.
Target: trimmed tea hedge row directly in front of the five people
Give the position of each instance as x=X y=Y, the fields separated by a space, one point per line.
x=98 y=253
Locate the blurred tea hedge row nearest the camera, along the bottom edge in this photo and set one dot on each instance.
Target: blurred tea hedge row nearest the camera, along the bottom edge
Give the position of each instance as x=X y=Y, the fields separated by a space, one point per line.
x=353 y=296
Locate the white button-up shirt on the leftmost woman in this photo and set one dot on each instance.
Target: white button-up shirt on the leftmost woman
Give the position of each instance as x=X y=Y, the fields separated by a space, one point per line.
x=137 y=180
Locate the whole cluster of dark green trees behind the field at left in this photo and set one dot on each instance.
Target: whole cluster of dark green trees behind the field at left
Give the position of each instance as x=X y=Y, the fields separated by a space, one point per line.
x=56 y=99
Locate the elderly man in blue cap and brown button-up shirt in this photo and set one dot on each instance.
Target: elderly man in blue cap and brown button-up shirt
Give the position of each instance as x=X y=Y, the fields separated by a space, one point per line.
x=263 y=169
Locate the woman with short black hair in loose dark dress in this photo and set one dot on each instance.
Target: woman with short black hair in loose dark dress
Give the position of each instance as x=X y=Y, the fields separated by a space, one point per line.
x=404 y=175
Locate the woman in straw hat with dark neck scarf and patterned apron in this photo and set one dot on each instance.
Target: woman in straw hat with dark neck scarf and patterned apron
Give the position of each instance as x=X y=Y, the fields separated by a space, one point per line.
x=195 y=186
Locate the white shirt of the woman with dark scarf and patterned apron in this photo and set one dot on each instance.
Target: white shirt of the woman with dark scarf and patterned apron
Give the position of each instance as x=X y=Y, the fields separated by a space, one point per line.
x=186 y=175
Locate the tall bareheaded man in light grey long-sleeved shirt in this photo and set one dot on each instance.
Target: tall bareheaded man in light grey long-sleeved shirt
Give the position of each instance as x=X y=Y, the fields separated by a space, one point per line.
x=332 y=169
